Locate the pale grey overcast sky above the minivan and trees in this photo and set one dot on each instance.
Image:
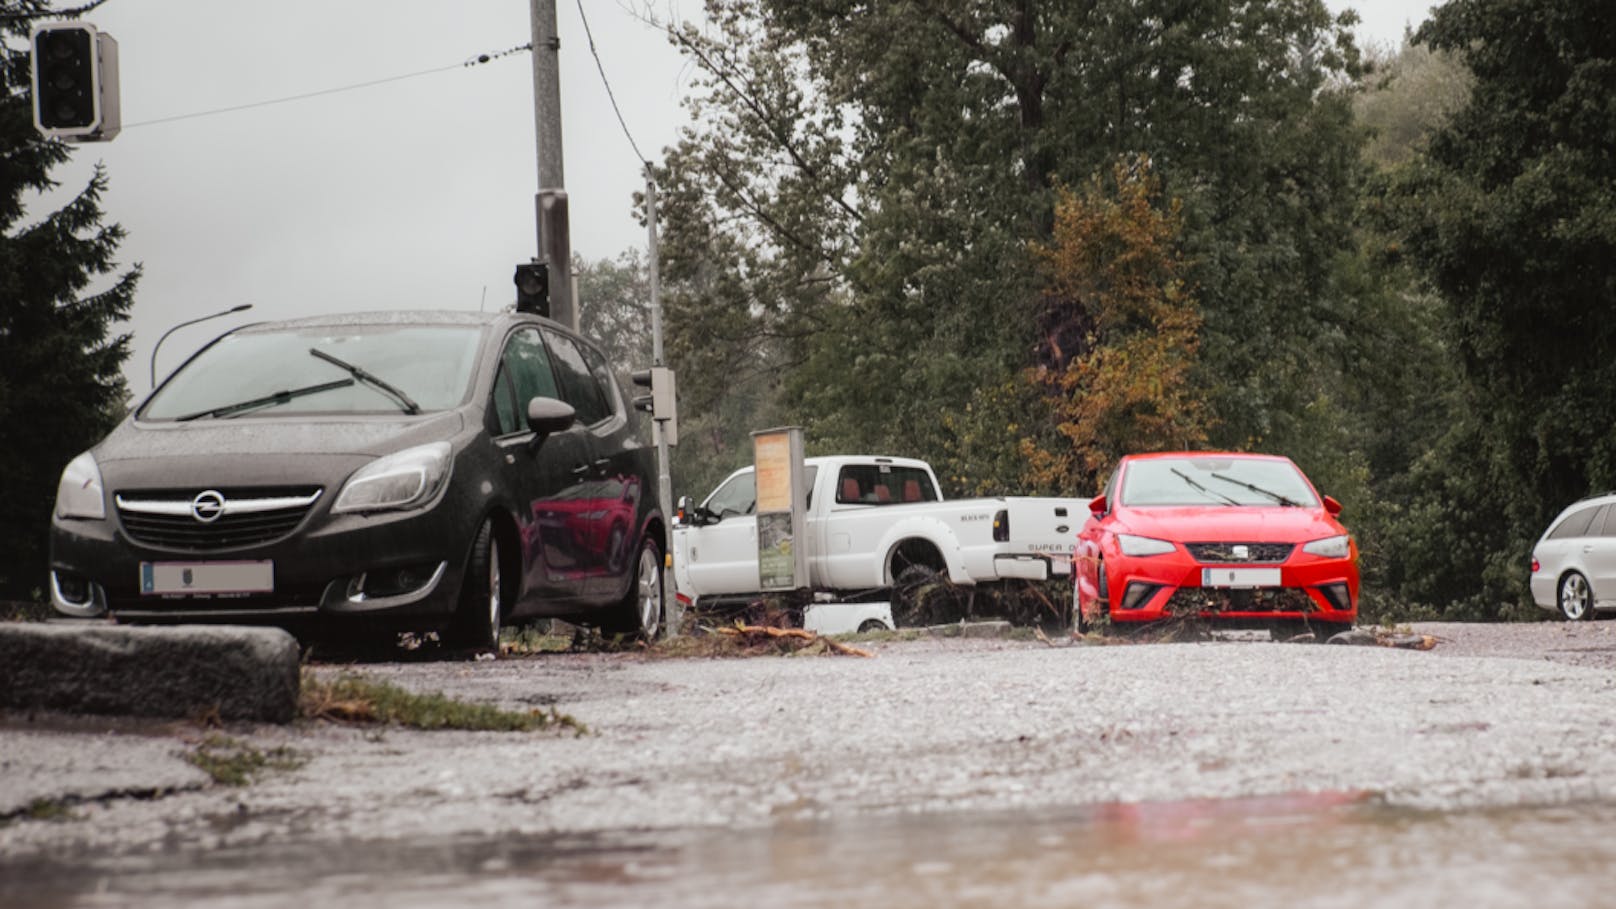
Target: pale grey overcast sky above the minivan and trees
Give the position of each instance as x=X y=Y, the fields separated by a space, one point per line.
x=416 y=193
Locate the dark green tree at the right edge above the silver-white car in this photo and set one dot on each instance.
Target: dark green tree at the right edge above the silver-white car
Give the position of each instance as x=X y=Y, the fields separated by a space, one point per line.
x=1510 y=218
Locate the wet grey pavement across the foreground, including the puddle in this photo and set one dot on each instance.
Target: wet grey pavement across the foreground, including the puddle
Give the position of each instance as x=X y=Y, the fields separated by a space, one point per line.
x=938 y=774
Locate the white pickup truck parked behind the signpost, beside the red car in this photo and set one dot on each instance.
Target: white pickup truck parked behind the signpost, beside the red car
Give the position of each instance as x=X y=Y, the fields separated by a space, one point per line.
x=875 y=523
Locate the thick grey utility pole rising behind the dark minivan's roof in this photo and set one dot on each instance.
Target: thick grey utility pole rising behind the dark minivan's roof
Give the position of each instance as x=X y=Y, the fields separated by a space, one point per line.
x=555 y=242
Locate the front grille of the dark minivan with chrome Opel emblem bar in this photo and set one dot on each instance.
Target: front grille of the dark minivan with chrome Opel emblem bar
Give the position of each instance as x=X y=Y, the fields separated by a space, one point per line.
x=214 y=520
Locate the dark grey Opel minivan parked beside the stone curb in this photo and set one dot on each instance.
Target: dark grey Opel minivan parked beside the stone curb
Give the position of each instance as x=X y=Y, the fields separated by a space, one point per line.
x=387 y=471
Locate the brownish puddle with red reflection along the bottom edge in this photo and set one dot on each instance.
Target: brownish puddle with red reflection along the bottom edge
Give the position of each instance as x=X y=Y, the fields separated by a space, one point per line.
x=1310 y=850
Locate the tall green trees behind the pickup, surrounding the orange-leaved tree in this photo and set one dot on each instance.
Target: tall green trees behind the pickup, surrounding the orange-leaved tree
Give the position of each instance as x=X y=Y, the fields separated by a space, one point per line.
x=857 y=198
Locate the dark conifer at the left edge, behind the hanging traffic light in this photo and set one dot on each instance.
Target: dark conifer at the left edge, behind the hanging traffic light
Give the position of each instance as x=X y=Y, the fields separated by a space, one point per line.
x=61 y=358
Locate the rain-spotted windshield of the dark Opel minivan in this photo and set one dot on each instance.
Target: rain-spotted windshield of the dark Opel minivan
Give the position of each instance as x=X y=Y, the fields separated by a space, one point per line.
x=282 y=373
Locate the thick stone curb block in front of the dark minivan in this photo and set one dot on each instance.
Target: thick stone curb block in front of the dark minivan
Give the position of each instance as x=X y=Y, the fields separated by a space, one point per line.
x=185 y=672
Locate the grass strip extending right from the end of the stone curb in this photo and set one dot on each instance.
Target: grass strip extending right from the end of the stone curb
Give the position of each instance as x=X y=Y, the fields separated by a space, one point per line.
x=356 y=700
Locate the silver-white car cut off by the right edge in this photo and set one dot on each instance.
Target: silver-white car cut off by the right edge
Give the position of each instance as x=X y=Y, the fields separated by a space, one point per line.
x=1575 y=564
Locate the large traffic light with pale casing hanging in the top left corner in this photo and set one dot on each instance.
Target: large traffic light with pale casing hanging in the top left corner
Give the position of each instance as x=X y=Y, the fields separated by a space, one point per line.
x=75 y=80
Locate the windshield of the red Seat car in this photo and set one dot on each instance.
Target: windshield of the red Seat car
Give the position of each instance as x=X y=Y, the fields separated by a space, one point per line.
x=1177 y=483
